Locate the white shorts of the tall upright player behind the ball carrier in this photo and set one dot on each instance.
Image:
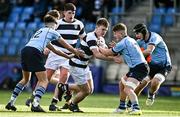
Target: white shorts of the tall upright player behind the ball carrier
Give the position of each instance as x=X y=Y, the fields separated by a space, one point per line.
x=55 y=61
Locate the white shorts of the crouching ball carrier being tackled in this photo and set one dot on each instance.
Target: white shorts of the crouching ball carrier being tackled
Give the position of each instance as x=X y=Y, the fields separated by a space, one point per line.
x=80 y=75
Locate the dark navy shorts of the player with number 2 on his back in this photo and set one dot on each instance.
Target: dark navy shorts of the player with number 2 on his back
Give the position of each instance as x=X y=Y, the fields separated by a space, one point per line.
x=32 y=60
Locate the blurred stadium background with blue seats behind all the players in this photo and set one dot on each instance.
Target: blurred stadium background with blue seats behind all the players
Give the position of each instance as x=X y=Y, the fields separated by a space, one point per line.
x=20 y=18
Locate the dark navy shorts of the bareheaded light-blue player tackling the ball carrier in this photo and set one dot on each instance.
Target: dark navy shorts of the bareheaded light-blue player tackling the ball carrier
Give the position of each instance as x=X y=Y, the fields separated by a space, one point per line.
x=139 y=72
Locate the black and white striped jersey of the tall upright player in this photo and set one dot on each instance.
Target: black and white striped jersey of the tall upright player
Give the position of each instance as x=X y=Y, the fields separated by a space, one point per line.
x=70 y=32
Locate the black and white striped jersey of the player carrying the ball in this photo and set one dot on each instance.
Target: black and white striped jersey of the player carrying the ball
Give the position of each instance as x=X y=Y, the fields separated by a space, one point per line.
x=87 y=44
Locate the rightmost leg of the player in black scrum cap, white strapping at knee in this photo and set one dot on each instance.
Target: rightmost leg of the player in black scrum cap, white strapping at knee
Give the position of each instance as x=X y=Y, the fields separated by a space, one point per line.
x=155 y=85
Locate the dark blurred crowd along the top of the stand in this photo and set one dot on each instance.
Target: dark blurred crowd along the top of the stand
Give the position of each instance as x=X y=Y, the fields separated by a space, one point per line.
x=86 y=9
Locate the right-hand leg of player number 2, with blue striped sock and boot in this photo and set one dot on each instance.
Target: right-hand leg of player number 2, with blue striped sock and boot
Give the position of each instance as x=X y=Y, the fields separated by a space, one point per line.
x=39 y=91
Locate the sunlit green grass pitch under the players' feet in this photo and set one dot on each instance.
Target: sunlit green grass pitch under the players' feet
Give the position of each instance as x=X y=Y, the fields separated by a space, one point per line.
x=101 y=105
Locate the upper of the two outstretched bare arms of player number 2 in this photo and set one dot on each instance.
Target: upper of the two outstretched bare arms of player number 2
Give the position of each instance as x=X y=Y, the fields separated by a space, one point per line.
x=70 y=48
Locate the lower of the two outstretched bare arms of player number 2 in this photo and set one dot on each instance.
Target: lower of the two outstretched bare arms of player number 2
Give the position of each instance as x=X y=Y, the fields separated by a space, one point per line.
x=58 y=52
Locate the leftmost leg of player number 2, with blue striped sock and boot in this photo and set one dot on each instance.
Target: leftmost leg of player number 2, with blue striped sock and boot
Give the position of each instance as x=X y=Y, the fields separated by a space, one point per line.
x=18 y=89
